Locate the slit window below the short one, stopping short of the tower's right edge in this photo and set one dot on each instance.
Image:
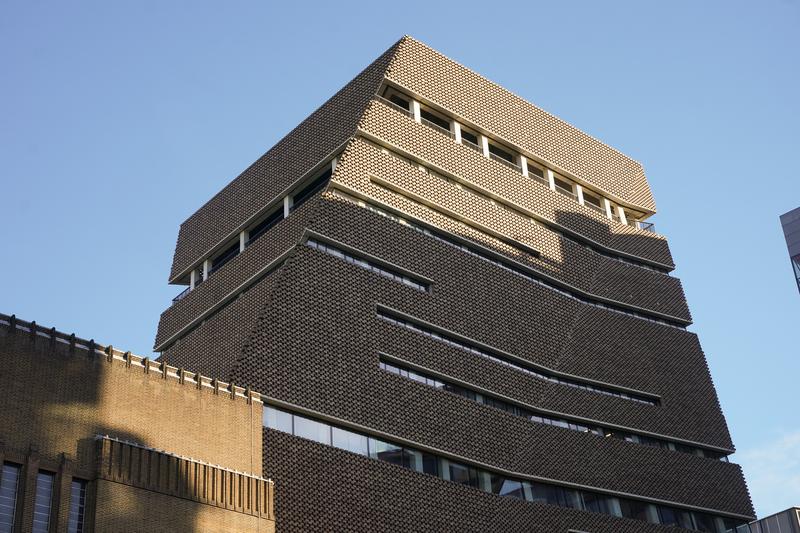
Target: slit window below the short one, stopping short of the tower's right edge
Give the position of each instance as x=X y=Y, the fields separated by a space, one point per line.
x=421 y=329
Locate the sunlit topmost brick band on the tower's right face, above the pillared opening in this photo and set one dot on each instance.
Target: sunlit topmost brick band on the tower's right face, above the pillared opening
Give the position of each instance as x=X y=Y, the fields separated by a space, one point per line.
x=455 y=88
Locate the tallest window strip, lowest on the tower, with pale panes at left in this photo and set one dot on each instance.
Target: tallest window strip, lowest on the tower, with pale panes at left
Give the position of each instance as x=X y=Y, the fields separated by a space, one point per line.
x=465 y=474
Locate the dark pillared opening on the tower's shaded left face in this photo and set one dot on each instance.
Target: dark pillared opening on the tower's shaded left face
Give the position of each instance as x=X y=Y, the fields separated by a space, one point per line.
x=248 y=236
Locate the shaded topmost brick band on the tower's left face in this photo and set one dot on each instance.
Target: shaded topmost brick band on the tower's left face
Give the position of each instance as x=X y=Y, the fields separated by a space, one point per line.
x=286 y=162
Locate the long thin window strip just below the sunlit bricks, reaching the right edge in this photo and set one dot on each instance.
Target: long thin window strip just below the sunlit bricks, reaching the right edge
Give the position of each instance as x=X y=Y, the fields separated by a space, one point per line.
x=507 y=265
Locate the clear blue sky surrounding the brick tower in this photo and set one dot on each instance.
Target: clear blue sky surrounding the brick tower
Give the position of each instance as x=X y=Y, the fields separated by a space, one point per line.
x=118 y=120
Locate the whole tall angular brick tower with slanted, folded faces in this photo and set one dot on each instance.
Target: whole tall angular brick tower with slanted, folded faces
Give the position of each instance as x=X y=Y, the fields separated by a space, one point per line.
x=459 y=317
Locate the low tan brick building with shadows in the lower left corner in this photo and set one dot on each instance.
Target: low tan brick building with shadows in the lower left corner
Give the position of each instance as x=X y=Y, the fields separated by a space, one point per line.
x=94 y=439
